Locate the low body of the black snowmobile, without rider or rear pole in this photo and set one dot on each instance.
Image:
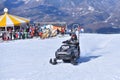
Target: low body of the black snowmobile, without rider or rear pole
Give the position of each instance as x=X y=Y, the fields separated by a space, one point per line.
x=67 y=53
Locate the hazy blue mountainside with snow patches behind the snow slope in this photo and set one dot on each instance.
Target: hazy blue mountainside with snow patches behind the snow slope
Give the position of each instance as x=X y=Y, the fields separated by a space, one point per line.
x=90 y=14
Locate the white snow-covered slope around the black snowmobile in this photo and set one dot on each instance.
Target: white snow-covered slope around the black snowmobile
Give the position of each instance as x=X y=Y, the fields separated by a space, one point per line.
x=29 y=59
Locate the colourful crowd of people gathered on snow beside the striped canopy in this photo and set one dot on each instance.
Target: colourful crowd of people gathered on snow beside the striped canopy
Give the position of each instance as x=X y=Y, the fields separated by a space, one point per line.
x=30 y=32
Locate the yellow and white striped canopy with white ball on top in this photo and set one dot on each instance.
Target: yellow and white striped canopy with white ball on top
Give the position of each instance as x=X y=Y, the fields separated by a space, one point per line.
x=11 y=20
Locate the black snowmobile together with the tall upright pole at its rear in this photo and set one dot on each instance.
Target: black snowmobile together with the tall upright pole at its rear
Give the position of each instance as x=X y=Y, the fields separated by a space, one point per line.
x=68 y=52
